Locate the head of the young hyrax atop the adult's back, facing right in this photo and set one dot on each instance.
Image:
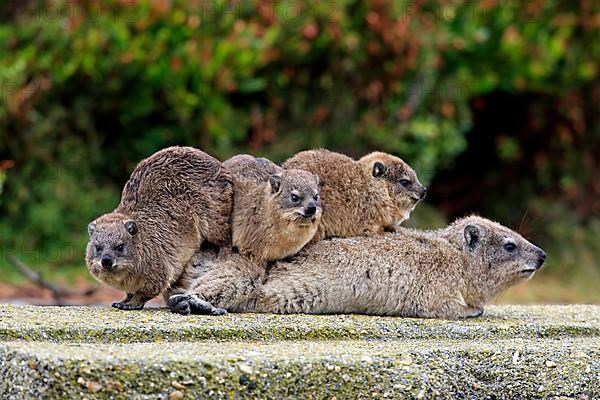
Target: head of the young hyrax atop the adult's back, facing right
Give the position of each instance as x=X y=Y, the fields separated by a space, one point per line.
x=399 y=179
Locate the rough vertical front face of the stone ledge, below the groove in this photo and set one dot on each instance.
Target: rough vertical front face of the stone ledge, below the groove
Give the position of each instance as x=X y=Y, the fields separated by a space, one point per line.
x=518 y=368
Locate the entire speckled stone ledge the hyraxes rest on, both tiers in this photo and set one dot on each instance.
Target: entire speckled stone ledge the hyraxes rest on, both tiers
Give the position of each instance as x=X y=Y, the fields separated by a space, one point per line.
x=545 y=352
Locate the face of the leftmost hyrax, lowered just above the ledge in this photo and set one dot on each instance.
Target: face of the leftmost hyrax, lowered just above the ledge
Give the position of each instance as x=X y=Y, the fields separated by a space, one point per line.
x=110 y=251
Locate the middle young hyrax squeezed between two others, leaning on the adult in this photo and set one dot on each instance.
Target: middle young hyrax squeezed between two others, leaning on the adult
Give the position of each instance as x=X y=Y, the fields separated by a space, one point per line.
x=275 y=211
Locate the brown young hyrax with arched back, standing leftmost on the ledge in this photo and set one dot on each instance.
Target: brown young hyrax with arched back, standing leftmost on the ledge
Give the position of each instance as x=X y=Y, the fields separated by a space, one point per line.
x=174 y=201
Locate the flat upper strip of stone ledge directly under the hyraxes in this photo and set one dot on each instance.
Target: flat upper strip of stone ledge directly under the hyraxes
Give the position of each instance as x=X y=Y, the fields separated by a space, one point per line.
x=104 y=324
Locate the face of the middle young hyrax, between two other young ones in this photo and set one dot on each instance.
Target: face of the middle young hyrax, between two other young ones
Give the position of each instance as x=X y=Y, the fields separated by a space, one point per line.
x=295 y=193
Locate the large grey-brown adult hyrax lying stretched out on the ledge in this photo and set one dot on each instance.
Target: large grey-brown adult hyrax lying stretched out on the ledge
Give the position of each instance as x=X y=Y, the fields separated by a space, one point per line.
x=449 y=273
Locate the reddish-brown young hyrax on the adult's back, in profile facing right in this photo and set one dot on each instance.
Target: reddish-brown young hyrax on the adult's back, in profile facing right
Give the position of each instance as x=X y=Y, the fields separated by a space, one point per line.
x=373 y=194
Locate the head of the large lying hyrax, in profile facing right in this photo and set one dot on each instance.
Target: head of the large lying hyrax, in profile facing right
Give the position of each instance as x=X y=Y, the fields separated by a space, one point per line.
x=505 y=257
